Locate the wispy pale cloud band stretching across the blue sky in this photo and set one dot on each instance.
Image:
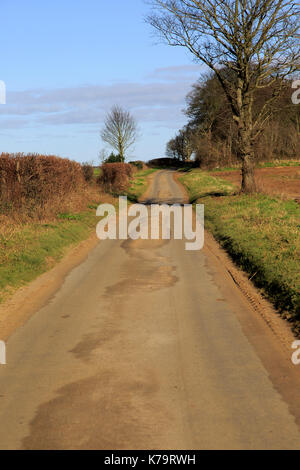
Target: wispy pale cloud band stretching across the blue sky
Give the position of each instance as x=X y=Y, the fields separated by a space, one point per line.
x=160 y=99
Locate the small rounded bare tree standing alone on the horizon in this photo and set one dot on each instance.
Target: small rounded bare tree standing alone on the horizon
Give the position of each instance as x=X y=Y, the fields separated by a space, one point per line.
x=120 y=130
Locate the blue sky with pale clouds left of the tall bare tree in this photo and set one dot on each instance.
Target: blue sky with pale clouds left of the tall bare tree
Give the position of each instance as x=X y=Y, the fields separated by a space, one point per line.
x=67 y=62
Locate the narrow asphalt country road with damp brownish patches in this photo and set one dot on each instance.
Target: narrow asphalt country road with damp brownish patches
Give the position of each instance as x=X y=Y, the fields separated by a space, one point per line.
x=146 y=346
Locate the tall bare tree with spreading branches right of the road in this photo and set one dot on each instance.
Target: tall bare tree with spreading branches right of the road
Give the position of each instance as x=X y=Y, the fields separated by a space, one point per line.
x=249 y=44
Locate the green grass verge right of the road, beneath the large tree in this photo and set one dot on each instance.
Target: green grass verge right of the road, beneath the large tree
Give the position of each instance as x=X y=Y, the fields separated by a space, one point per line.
x=260 y=233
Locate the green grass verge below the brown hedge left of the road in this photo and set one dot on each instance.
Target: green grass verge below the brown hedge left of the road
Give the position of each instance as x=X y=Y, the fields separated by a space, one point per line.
x=28 y=250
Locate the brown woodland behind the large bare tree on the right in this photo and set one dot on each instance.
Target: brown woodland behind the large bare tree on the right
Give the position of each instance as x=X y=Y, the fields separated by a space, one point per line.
x=210 y=136
